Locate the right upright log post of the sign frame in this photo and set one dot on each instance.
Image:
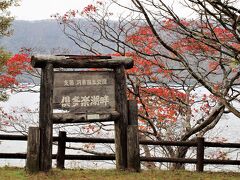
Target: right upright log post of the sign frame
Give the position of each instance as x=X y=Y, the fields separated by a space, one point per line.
x=122 y=122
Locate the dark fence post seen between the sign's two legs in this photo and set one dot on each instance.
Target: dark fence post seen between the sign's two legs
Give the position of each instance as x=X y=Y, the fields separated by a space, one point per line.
x=61 y=149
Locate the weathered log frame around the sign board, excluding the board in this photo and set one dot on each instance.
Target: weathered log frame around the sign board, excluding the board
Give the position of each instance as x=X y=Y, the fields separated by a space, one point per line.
x=47 y=63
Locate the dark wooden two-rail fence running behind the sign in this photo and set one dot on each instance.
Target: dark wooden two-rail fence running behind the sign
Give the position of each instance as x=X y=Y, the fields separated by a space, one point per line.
x=200 y=144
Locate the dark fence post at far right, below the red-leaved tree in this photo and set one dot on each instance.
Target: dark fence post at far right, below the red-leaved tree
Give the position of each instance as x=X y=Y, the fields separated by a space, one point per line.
x=200 y=154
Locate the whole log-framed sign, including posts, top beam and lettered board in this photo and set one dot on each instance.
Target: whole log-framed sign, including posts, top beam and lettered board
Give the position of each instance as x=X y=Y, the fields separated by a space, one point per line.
x=109 y=105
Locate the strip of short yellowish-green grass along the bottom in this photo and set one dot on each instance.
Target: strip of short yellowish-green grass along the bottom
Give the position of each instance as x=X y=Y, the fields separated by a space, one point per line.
x=10 y=173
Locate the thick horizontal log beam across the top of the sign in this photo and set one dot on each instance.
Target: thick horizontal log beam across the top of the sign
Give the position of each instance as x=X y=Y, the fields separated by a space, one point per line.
x=39 y=61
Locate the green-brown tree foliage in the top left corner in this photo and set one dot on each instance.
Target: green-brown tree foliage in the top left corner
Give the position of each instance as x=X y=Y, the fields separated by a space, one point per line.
x=5 y=16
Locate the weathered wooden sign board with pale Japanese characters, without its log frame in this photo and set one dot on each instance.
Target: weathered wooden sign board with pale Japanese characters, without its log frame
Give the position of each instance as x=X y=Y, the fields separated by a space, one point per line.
x=84 y=91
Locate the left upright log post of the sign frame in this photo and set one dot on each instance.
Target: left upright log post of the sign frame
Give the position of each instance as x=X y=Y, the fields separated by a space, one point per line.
x=45 y=117
